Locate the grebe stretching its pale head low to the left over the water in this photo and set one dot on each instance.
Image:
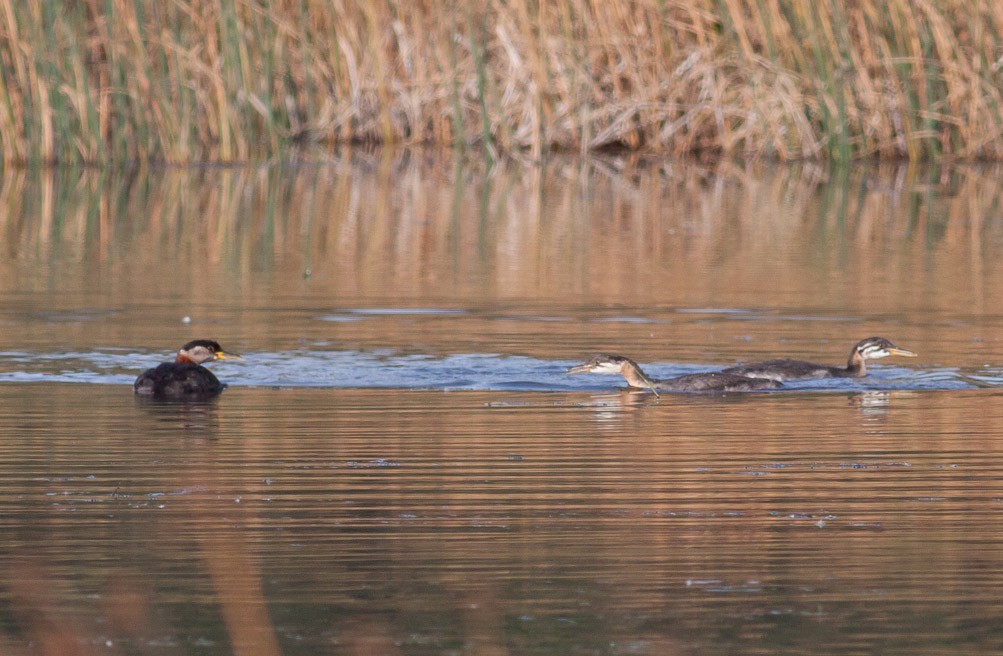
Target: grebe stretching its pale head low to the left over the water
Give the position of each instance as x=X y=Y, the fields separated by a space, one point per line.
x=694 y=383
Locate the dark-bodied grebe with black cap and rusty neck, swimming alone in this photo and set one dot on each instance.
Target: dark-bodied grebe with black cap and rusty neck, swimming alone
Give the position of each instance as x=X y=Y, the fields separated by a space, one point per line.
x=185 y=379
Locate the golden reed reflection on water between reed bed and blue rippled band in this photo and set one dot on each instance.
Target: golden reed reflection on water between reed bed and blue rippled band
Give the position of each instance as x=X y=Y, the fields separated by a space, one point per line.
x=255 y=252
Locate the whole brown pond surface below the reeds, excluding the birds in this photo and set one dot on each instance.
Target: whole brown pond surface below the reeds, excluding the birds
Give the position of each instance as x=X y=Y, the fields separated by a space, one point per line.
x=402 y=466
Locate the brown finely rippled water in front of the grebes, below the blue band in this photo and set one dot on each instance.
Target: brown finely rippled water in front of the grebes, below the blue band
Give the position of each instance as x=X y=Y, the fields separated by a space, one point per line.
x=421 y=522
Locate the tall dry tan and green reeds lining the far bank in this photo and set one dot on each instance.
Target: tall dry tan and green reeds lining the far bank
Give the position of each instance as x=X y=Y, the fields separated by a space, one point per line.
x=234 y=81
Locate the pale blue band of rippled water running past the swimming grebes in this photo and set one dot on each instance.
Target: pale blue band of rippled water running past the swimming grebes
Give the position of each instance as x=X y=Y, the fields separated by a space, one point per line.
x=461 y=372
